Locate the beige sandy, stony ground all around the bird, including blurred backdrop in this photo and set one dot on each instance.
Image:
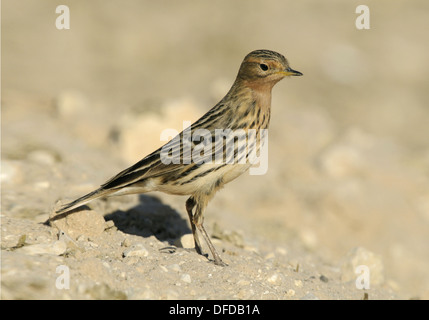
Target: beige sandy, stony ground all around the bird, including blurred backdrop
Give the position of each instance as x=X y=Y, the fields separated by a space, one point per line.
x=345 y=201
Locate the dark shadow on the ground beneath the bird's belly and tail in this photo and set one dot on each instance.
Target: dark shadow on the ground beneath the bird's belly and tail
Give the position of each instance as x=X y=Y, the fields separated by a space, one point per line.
x=151 y=217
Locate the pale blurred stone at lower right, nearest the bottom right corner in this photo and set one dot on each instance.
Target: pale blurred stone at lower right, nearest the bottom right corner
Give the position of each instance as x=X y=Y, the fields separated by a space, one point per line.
x=362 y=257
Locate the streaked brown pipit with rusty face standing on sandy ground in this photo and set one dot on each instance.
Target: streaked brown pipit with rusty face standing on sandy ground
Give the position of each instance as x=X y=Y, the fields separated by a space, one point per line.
x=246 y=106
